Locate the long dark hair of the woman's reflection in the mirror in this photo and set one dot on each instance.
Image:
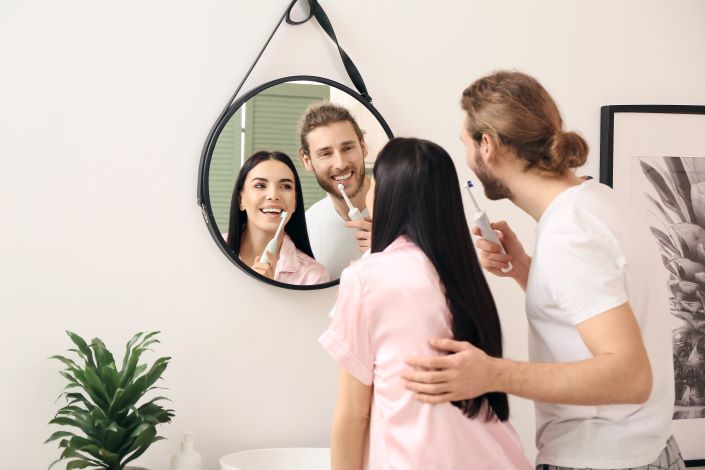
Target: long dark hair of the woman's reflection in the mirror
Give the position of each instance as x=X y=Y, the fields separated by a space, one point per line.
x=295 y=228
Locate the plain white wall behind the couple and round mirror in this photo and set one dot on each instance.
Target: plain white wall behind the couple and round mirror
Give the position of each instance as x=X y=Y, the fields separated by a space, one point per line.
x=104 y=107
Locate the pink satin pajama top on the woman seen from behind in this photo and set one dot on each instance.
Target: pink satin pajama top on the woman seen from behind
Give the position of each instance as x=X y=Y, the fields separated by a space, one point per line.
x=389 y=305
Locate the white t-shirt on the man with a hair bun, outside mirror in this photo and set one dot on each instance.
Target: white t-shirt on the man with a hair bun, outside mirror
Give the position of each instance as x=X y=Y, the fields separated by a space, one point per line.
x=587 y=261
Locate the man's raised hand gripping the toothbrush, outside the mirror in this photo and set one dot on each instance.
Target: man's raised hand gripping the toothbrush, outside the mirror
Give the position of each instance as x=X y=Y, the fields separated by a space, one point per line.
x=493 y=260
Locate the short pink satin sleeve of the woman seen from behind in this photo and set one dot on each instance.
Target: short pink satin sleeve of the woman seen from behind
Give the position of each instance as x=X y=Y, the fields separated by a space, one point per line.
x=347 y=339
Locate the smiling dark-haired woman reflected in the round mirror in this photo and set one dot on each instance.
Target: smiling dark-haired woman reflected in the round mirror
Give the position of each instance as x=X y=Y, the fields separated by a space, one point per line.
x=267 y=185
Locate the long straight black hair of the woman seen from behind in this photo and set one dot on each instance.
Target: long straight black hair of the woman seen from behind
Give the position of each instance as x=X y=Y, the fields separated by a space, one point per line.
x=417 y=194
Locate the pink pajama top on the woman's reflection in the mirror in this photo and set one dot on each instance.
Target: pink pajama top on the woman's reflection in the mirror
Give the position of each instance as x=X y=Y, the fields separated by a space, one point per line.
x=296 y=267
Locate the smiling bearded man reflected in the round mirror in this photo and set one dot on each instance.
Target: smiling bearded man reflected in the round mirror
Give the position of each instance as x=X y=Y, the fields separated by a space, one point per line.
x=333 y=148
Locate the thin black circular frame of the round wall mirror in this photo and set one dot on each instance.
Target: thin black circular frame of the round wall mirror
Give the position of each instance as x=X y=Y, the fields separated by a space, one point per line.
x=207 y=153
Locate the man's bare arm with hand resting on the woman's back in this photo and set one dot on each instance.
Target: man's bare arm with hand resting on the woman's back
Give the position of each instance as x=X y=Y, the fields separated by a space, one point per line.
x=617 y=372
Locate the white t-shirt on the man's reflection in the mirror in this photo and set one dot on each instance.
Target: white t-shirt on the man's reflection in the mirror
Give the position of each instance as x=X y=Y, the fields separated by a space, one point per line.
x=333 y=244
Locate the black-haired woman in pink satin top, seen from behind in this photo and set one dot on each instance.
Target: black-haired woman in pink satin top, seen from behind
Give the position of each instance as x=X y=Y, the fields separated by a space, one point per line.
x=422 y=280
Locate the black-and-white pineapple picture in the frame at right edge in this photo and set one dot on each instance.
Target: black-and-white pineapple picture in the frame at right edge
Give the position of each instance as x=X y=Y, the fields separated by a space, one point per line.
x=679 y=184
